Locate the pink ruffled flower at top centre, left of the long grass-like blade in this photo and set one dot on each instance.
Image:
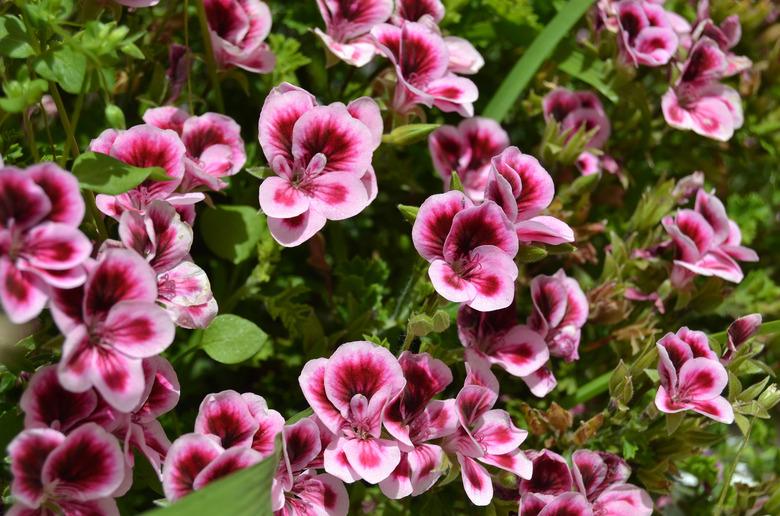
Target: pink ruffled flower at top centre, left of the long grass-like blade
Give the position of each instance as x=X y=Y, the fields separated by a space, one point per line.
x=421 y=58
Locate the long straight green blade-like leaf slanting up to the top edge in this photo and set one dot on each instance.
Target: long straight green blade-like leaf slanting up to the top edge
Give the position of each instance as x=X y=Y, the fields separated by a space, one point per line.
x=524 y=70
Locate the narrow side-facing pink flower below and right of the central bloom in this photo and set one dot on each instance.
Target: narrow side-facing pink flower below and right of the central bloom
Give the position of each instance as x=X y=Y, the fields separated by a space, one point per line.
x=560 y=311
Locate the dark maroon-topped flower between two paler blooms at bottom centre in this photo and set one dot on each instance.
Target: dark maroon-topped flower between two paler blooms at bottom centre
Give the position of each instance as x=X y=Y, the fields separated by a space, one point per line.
x=415 y=419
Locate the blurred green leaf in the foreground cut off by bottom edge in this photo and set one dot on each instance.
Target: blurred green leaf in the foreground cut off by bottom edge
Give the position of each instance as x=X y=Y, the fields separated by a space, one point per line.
x=244 y=493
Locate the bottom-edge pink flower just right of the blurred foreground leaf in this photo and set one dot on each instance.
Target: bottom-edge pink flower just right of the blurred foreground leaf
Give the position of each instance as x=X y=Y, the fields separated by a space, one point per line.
x=297 y=489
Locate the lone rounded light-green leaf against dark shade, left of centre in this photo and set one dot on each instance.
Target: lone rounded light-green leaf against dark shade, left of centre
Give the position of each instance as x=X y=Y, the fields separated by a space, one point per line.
x=231 y=339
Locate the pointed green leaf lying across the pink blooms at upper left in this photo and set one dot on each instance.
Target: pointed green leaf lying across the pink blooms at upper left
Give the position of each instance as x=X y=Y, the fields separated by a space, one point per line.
x=103 y=174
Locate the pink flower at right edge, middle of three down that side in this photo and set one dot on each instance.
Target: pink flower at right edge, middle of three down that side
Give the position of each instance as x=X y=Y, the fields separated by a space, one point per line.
x=706 y=242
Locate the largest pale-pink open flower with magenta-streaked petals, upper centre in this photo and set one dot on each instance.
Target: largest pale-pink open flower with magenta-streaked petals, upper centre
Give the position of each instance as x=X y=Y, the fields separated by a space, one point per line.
x=321 y=156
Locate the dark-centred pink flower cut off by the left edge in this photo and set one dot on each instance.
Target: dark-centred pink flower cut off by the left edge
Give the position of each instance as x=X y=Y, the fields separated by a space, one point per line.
x=41 y=247
